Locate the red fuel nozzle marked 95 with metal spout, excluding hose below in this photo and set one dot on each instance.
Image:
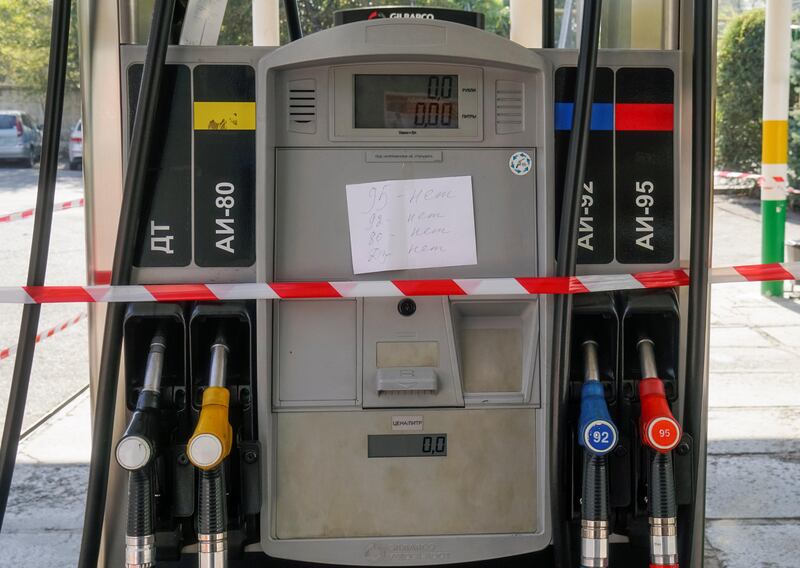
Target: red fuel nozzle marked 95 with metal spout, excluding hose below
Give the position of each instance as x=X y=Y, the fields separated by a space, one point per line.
x=658 y=426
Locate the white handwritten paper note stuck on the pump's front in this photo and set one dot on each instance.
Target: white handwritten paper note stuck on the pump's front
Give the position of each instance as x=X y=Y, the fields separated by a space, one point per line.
x=420 y=223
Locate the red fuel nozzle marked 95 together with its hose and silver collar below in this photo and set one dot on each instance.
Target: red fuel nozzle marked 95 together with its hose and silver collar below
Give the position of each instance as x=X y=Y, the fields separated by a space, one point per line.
x=660 y=432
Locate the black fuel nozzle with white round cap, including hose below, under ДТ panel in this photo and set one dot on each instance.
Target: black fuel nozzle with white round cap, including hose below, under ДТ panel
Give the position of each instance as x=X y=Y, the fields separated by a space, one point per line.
x=136 y=452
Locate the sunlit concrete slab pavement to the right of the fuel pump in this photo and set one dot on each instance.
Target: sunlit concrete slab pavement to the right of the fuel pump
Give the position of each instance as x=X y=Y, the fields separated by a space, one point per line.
x=753 y=506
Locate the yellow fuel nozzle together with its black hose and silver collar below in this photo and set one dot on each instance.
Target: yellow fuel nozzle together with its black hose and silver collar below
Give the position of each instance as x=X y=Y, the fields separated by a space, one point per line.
x=207 y=449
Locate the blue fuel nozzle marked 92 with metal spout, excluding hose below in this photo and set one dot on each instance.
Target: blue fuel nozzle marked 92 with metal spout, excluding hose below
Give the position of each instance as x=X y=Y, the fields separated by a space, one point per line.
x=596 y=431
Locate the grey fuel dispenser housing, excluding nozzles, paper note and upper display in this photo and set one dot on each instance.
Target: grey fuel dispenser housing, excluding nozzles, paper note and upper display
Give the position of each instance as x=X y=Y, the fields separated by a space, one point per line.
x=329 y=396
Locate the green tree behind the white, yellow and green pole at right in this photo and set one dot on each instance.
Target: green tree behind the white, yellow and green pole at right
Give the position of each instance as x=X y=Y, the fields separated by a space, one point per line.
x=740 y=76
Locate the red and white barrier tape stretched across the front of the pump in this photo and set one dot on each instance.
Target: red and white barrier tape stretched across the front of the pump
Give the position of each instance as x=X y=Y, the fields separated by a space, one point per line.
x=389 y=288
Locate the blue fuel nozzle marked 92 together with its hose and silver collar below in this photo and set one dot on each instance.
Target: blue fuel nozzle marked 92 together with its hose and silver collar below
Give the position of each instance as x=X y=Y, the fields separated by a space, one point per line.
x=598 y=436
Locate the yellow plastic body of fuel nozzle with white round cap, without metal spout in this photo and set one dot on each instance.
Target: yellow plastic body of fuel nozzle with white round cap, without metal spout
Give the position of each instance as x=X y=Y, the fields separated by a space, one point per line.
x=211 y=442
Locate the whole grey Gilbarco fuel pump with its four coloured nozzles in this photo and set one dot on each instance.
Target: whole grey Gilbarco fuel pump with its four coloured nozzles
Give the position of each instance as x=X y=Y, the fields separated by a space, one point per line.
x=341 y=459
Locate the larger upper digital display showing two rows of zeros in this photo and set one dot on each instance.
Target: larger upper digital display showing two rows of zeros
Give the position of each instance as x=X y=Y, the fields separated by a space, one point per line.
x=406 y=101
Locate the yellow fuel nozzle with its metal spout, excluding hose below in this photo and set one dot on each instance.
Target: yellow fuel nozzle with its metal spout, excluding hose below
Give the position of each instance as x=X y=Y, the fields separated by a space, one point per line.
x=213 y=436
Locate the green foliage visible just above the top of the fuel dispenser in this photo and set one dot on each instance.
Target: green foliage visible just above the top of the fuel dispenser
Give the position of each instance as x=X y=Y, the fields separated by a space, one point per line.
x=316 y=15
